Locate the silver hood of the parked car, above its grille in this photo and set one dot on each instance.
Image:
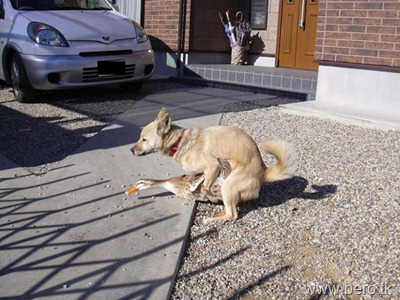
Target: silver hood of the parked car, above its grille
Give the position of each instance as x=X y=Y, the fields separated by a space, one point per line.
x=84 y=25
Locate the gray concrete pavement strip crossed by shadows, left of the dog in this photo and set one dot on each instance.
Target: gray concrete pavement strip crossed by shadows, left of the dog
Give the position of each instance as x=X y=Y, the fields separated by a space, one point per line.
x=74 y=234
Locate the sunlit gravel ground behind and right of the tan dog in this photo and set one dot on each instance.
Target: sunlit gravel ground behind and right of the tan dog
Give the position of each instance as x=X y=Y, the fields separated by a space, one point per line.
x=336 y=224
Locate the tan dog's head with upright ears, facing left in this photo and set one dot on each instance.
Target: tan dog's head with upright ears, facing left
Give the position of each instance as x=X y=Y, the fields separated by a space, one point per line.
x=153 y=134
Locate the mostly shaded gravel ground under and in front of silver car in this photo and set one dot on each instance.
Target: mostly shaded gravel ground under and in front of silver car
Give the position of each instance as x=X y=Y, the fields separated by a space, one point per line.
x=38 y=135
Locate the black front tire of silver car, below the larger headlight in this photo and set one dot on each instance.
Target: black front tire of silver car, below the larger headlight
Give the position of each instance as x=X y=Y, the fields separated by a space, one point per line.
x=22 y=89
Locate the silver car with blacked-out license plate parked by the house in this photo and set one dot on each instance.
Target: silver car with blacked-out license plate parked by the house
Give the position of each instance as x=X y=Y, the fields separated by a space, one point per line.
x=57 y=44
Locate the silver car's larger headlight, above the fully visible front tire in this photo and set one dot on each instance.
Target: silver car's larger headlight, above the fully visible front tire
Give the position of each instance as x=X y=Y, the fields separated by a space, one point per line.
x=46 y=35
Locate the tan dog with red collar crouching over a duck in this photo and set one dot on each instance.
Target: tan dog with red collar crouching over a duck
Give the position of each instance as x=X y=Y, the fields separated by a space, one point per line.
x=198 y=150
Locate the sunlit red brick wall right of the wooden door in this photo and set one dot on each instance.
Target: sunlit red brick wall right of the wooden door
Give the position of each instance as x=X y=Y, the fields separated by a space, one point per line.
x=359 y=31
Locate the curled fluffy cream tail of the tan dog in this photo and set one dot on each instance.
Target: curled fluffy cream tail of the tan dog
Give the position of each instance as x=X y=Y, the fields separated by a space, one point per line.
x=286 y=157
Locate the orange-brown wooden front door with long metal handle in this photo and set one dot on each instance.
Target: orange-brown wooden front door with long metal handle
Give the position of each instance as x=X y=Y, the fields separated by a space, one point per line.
x=297 y=35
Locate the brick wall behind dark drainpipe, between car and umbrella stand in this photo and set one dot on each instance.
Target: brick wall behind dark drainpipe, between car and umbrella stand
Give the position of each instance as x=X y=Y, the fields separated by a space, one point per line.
x=203 y=32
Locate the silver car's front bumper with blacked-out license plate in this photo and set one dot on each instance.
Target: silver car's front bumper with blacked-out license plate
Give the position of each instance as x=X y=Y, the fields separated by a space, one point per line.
x=58 y=72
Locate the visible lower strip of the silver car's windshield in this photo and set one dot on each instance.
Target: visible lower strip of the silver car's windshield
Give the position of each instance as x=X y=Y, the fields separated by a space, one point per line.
x=61 y=4
